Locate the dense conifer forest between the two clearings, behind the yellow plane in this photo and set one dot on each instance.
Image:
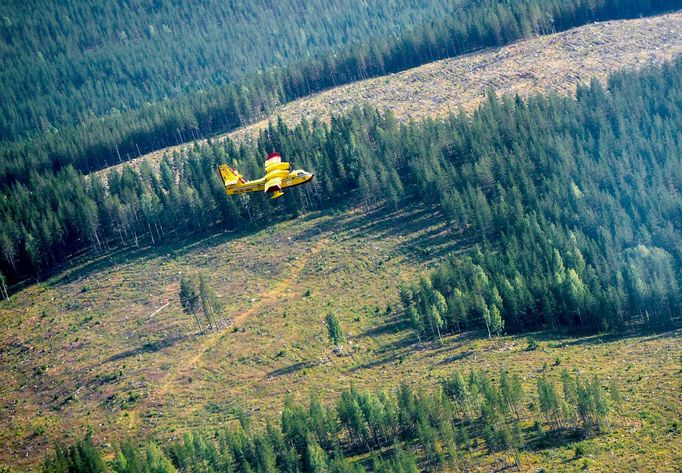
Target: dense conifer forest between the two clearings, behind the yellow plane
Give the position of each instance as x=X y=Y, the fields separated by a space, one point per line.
x=572 y=207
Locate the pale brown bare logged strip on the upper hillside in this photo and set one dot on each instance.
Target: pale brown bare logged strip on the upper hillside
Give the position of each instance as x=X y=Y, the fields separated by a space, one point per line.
x=554 y=63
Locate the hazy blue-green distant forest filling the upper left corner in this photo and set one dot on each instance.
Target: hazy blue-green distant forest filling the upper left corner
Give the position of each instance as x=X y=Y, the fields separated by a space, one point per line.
x=64 y=62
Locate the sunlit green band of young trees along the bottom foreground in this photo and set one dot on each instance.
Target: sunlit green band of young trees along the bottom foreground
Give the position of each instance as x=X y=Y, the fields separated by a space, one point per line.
x=403 y=431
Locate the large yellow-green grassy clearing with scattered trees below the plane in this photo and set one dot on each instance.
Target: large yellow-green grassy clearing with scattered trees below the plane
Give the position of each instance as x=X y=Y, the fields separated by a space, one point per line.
x=83 y=349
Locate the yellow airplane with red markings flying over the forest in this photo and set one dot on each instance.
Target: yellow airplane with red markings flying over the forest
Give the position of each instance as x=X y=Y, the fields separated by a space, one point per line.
x=277 y=177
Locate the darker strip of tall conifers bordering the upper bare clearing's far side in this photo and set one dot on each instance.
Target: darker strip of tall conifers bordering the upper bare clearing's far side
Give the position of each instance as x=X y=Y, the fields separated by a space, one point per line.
x=105 y=140
